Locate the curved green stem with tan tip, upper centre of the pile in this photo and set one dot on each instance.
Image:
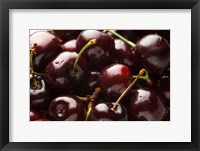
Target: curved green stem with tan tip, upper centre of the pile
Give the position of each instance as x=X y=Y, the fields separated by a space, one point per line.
x=91 y=42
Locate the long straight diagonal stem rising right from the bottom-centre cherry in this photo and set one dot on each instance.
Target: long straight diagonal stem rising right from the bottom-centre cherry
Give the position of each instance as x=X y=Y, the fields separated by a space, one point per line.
x=141 y=72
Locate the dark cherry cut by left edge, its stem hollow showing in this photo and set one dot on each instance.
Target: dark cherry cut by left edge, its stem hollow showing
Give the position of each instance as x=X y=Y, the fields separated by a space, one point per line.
x=40 y=92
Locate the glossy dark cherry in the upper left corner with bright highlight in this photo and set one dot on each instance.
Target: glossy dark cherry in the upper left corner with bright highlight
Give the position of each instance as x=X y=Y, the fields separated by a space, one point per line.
x=45 y=47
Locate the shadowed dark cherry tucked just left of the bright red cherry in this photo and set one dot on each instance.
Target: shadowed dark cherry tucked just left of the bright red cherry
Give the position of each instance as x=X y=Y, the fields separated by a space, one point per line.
x=89 y=83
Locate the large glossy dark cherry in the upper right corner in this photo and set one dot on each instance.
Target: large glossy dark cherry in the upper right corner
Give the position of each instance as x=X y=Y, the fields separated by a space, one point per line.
x=154 y=52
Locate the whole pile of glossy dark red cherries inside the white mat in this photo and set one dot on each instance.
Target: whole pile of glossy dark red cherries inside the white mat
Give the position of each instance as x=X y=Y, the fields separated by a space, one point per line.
x=100 y=75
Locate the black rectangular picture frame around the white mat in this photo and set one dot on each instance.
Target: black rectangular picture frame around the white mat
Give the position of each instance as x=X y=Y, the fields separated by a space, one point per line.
x=5 y=5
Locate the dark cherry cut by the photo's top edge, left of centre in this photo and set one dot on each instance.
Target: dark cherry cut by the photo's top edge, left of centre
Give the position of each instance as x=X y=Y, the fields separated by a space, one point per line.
x=65 y=35
